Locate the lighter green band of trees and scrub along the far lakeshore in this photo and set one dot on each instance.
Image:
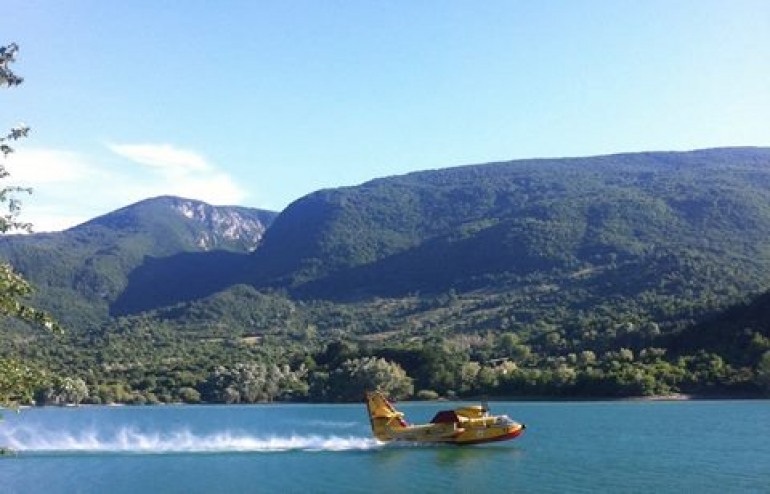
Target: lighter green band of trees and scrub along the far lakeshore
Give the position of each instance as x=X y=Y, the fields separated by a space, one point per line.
x=141 y=361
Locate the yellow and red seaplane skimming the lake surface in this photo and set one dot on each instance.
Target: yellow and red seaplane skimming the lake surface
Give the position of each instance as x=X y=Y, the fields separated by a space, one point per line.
x=467 y=425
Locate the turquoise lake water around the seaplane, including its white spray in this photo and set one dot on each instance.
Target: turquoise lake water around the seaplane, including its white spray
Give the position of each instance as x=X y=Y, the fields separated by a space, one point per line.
x=698 y=446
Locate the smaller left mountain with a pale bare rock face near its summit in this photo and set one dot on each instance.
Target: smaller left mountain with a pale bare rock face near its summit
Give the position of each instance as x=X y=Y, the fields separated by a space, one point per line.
x=100 y=267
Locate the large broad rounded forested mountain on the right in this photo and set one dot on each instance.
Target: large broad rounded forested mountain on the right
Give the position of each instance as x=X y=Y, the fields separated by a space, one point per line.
x=692 y=225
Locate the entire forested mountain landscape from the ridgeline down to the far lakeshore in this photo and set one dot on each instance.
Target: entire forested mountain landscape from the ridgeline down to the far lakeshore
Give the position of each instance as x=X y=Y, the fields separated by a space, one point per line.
x=621 y=275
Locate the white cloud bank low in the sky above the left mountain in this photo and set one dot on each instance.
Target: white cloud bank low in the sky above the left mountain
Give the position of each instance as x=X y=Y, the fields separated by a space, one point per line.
x=71 y=188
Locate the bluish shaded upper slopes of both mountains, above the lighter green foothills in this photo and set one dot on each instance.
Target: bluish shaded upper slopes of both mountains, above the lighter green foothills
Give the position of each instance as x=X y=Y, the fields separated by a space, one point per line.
x=668 y=232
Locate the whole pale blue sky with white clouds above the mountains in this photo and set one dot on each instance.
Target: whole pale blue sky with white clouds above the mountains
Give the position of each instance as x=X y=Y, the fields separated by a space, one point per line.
x=258 y=103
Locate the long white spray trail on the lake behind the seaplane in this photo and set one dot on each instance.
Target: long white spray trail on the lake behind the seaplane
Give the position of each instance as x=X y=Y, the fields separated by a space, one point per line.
x=127 y=440
